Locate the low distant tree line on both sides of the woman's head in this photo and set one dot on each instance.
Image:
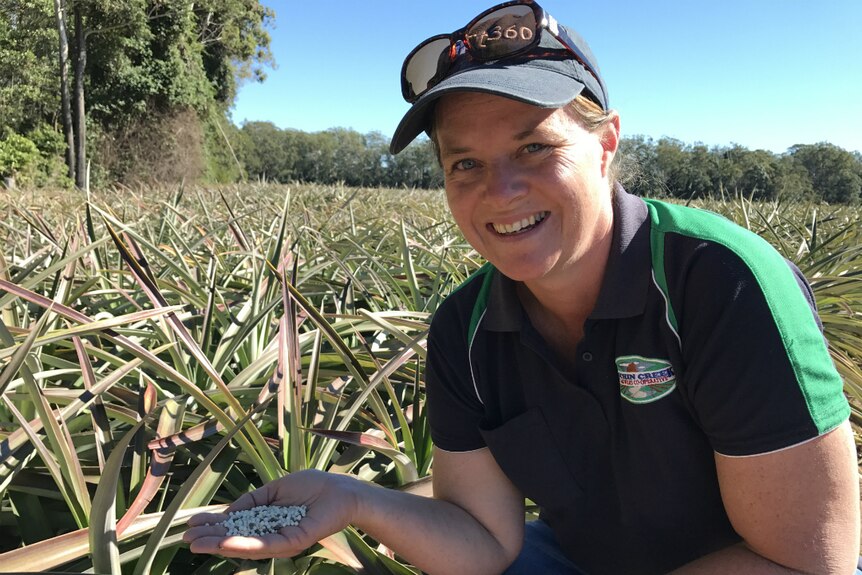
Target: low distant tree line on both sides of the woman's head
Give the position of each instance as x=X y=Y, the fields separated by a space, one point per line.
x=647 y=167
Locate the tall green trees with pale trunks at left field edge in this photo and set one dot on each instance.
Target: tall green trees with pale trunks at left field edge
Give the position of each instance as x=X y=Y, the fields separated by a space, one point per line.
x=138 y=90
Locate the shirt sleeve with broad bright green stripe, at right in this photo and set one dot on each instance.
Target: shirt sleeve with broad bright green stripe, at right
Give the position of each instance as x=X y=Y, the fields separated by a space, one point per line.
x=756 y=366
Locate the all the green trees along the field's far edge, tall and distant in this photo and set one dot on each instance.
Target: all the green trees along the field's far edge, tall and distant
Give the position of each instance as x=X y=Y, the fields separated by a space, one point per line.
x=140 y=92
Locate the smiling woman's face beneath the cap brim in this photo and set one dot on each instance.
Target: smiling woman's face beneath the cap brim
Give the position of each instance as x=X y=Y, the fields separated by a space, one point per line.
x=527 y=186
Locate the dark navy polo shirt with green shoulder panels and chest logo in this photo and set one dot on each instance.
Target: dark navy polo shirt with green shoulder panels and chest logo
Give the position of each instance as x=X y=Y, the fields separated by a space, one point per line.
x=702 y=340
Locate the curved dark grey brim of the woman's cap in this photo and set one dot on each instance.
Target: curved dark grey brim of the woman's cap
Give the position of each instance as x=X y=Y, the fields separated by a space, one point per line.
x=532 y=84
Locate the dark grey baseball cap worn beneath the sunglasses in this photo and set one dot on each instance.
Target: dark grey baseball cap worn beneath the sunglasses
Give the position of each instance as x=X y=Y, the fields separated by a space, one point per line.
x=547 y=76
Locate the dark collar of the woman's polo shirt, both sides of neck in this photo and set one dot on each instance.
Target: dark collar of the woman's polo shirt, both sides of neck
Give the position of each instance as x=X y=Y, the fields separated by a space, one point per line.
x=627 y=275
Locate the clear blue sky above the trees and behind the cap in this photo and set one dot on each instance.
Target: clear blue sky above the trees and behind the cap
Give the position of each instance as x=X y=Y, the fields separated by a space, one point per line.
x=760 y=73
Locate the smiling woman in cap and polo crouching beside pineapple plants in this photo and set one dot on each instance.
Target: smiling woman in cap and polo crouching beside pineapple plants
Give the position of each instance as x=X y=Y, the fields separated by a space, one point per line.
x=652 y=376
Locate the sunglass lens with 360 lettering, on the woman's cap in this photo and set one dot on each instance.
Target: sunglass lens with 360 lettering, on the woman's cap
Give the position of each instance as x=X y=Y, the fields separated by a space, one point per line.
x=502 y=32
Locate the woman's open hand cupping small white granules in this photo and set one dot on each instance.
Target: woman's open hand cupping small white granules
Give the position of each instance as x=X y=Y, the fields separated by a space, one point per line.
x=331 y=505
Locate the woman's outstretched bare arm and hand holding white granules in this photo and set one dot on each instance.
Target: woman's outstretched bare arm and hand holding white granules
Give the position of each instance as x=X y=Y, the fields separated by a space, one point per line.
x=474 y=524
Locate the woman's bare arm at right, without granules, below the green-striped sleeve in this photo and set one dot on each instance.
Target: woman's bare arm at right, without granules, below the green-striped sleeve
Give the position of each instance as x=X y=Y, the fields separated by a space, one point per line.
x=797 y=509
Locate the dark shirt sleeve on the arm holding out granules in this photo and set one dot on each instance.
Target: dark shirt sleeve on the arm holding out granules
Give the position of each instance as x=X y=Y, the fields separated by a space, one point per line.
x=454 y=409
